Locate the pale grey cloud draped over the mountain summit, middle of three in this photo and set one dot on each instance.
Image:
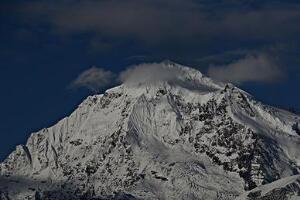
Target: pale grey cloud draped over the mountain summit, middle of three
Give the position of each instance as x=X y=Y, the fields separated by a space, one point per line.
x=149 y=73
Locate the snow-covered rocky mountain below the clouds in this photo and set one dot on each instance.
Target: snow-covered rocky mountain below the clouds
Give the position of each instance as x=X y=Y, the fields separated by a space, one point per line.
x=190 y=138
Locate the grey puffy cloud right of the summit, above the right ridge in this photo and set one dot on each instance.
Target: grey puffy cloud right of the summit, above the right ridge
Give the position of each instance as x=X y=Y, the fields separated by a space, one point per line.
x=252 y=68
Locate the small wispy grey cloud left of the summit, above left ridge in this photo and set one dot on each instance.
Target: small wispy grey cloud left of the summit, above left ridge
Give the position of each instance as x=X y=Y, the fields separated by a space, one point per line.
x=94 y=79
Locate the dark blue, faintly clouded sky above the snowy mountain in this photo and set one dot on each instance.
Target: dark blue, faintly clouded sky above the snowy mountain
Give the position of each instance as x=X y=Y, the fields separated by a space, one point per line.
x=46 y=45
